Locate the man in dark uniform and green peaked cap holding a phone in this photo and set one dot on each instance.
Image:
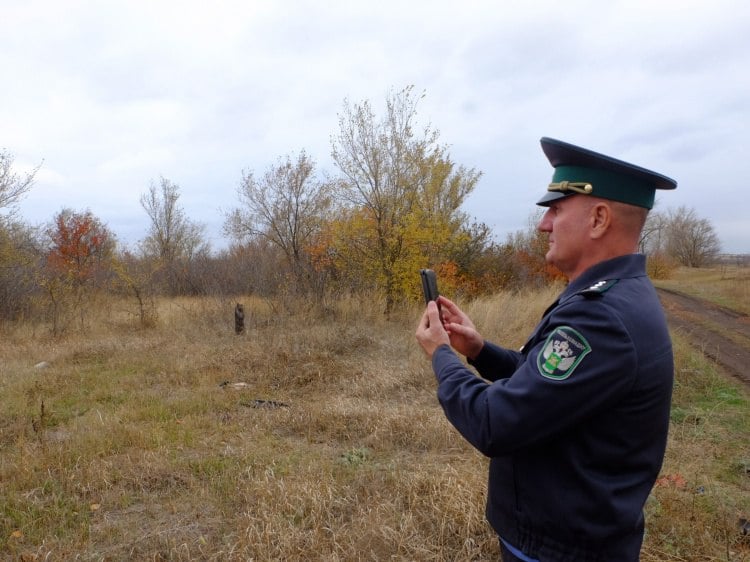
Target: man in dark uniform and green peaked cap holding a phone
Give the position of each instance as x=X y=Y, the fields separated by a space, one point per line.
x=575 y=423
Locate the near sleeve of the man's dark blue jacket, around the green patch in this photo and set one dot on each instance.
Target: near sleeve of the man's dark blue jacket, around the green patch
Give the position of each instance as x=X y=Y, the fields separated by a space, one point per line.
x=528 y=406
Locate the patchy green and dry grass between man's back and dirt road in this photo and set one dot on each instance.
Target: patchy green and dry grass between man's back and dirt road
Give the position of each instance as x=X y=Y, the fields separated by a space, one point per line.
x=704 y=489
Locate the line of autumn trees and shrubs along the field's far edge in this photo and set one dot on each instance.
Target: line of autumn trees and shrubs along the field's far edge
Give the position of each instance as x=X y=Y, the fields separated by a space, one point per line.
x=394 y=206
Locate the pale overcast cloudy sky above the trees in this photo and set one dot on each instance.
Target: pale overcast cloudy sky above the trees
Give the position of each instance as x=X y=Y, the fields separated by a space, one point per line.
x=113 y=95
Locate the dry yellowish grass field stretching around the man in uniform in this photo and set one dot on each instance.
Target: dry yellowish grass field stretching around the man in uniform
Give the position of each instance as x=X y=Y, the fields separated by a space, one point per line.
x=327 y=443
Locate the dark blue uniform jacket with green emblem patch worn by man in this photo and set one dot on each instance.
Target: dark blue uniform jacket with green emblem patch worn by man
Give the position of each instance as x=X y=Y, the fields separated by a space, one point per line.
x=576 y=423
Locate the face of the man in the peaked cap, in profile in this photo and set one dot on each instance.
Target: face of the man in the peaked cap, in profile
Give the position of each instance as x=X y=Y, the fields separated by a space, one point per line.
x=567 y=221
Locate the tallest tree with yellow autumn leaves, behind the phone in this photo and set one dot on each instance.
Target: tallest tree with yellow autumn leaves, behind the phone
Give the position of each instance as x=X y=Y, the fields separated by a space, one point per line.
x=402 y=195
